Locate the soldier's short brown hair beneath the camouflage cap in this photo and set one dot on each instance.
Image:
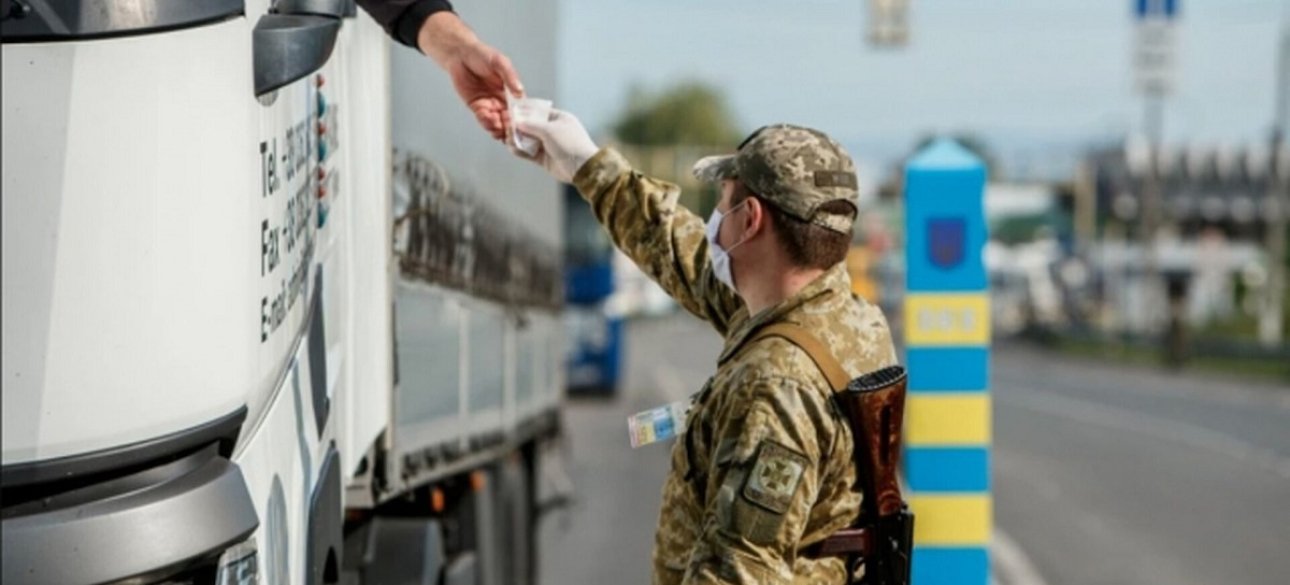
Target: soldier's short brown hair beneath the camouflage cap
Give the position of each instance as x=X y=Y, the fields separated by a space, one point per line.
x=808 y=245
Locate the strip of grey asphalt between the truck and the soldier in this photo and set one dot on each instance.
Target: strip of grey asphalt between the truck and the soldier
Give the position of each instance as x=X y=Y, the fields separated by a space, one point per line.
x=608 y=534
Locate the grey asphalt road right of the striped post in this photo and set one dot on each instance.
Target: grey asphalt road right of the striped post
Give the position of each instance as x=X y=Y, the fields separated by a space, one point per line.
x=1116 y=476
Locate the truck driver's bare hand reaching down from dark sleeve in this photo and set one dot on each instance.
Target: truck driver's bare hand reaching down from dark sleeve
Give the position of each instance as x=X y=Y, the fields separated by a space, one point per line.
x=481 y=73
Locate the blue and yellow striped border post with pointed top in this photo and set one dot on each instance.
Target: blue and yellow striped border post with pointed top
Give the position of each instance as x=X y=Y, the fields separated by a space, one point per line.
x=948 y=338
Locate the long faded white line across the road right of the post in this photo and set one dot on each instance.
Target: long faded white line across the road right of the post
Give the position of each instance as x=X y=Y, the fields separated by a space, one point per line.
x=1150 y=426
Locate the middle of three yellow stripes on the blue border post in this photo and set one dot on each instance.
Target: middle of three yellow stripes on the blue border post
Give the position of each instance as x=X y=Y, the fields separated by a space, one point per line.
x=948 y=419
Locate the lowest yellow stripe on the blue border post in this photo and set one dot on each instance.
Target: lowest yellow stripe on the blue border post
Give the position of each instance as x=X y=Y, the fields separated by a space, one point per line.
x=951 y=521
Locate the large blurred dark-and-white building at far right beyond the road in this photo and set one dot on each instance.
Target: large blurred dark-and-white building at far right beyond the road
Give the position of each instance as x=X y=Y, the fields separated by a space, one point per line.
x=1216 y=207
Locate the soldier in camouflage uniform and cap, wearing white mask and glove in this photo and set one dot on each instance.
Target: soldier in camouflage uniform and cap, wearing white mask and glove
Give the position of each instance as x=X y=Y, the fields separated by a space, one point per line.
x=764 y=471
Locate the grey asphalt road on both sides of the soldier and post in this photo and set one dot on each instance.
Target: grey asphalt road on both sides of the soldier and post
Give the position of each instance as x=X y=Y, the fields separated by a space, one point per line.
x=1102 y=475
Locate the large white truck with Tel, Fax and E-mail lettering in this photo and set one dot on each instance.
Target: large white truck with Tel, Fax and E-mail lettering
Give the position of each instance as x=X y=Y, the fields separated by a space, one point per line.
x=275 y=311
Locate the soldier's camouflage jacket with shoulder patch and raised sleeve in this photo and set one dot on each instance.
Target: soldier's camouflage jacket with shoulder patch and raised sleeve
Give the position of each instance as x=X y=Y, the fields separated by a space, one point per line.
x=766 y=467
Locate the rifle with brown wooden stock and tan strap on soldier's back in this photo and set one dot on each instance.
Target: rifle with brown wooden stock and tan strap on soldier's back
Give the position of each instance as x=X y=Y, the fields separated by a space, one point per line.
x=882 y=538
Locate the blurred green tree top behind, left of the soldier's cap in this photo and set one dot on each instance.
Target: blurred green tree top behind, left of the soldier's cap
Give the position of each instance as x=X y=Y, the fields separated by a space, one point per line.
x=686 y=114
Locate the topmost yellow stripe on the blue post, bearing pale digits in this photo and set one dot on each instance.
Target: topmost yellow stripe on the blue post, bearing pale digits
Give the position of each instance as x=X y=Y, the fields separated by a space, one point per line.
x=948 y=320
